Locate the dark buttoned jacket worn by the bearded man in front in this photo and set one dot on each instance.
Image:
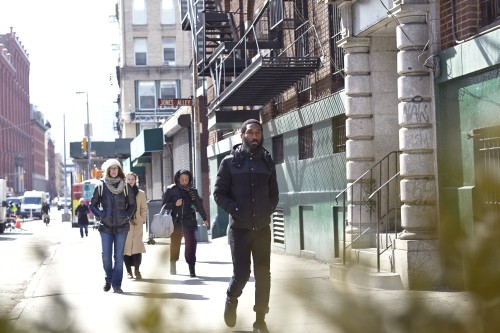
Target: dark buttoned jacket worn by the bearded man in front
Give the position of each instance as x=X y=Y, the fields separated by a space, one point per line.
x=246 y=188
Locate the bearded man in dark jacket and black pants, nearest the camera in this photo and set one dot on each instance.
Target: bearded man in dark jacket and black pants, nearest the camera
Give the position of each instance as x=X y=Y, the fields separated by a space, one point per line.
x=247 y=189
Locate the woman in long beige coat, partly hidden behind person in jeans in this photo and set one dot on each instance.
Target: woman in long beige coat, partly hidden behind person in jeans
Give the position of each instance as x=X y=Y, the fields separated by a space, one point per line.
x=134 y=246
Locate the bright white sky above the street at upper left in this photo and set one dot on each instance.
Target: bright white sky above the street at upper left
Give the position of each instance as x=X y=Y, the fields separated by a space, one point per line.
x=69 y=45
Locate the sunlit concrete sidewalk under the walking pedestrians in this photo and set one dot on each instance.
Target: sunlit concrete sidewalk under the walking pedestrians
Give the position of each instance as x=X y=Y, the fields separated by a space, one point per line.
x=67 y=293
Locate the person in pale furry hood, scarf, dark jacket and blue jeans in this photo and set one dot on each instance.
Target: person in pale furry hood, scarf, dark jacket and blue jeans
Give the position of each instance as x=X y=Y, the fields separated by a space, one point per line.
x=113 y=204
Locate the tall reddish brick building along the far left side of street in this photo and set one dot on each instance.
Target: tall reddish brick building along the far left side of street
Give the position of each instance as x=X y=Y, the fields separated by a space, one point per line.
x=22 y=126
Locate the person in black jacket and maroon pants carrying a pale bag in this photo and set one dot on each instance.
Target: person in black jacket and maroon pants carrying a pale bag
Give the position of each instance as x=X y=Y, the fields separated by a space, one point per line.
x=183 y=201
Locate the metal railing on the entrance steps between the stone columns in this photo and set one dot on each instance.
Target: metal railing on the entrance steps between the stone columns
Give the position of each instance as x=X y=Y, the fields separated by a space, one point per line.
x=377 y=188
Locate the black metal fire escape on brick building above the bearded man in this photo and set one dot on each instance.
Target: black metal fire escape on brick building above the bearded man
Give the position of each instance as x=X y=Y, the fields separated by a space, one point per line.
x=250 y=68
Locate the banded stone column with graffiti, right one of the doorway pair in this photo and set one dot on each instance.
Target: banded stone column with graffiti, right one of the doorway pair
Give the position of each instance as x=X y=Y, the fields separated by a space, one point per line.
x=416 y=250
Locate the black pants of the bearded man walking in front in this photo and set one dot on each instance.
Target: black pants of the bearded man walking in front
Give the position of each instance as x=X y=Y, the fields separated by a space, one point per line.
x=246 y=243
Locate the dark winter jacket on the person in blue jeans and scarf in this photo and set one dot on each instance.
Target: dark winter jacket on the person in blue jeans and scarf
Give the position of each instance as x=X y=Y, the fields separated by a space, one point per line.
x=117 y=209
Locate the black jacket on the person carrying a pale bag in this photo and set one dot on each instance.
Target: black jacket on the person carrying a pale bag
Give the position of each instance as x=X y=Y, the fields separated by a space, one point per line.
x=186 y=213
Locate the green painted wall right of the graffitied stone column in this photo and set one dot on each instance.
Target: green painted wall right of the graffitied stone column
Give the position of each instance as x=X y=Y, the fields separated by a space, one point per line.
x=468 y=98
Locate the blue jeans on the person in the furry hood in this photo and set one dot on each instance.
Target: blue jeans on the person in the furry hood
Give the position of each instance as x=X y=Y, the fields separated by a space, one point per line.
x=113 y=246
